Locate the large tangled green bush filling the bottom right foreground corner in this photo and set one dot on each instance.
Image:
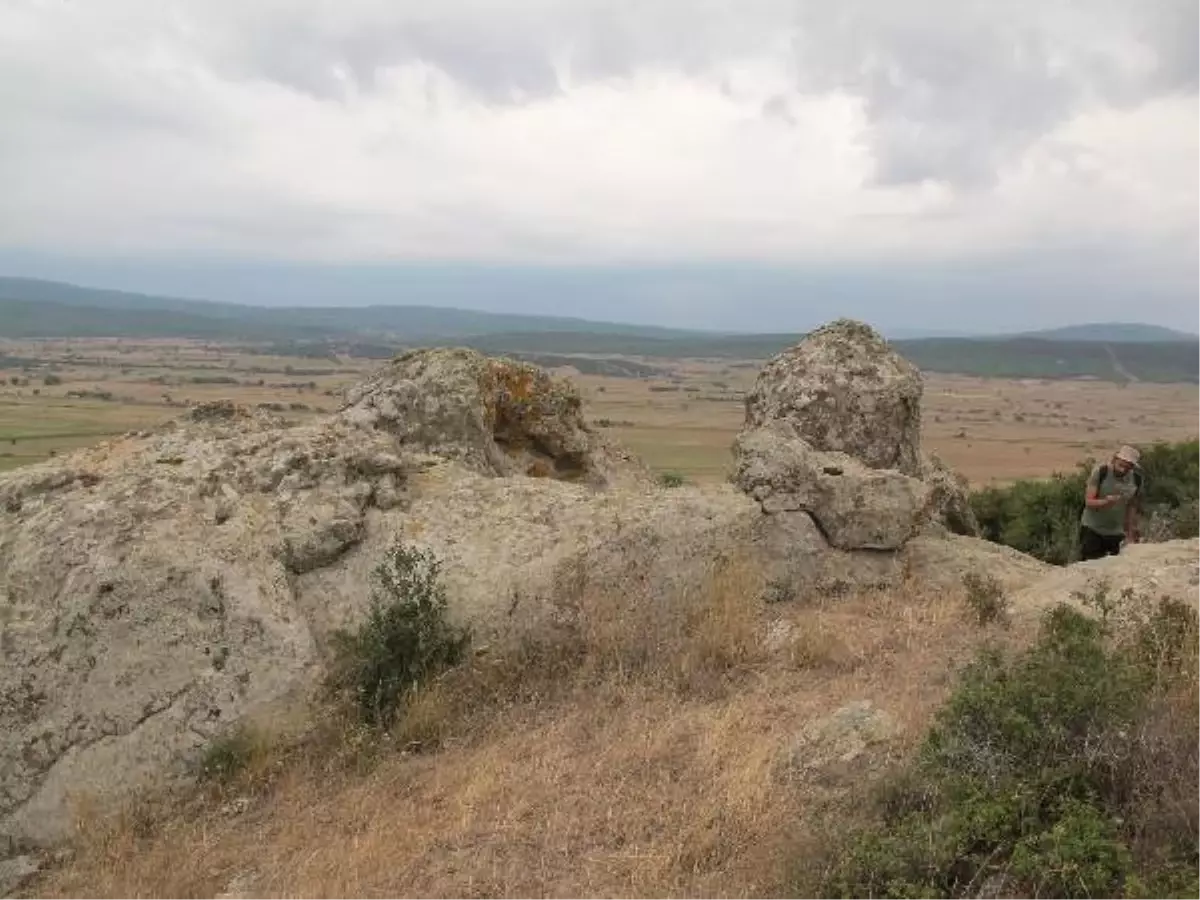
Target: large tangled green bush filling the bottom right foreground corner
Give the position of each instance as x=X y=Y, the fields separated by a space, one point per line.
x=1047 y=772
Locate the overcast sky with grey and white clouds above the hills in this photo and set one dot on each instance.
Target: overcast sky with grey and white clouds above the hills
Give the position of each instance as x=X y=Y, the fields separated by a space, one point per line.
x=759 y=164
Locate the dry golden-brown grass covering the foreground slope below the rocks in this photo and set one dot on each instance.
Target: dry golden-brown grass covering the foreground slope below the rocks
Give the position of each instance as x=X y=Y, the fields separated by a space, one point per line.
x=637 y=753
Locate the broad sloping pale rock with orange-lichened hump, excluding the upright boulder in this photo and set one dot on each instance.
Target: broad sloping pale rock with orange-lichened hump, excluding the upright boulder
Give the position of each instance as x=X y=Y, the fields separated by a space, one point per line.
x=157 y=590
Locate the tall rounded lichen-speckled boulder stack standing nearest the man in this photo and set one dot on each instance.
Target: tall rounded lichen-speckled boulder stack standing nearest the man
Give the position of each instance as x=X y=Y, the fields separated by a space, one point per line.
x=833 y=430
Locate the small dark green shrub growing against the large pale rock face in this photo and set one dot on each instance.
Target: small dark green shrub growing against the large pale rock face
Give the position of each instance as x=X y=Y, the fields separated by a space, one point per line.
x=405 y=640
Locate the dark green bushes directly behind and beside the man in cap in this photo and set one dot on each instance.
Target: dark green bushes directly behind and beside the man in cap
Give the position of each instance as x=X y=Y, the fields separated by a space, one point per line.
x=1041 y=518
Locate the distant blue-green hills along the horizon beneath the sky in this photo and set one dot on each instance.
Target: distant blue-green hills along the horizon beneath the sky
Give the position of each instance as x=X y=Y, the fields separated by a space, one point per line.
x=46 y=309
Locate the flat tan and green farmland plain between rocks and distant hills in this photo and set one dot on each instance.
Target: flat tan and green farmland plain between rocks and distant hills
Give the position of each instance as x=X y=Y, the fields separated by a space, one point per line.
x=69 y=394
